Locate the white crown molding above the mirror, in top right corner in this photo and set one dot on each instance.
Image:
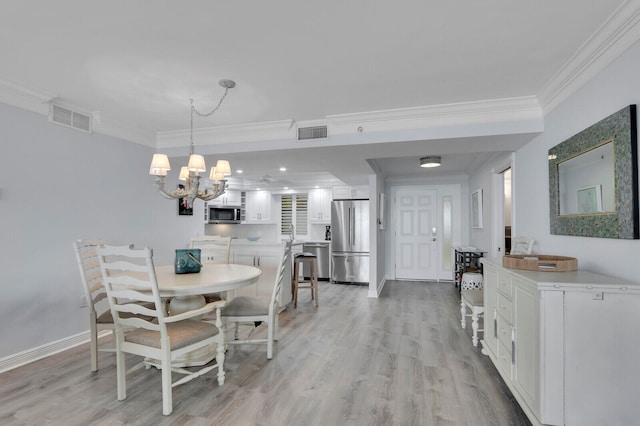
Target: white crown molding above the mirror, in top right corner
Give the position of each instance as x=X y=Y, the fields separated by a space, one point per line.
x=619 y=32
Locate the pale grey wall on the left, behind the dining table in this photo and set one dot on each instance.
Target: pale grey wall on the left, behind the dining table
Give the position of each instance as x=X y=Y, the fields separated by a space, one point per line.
x=57 y=185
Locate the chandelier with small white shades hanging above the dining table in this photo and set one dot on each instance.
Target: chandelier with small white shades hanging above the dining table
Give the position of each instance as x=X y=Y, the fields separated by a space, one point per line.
x=190 y=174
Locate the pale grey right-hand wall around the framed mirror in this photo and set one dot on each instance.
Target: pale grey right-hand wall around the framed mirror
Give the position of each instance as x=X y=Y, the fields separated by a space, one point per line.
x=614 y=88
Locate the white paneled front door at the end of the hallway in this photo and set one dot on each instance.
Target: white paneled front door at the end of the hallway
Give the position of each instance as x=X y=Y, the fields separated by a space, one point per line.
x=416 y=253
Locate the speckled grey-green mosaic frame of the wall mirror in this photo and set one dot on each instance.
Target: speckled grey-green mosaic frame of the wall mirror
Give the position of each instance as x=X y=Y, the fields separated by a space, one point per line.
x=621 y=128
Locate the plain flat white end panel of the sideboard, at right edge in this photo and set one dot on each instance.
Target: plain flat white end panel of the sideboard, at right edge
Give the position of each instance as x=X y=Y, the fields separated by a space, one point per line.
x=601 y=343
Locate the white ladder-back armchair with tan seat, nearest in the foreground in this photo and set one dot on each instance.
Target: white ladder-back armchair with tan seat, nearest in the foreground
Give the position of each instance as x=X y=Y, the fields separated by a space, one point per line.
x=130 y=279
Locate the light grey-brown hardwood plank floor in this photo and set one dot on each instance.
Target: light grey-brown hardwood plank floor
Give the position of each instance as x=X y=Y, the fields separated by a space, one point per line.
x=401 y=359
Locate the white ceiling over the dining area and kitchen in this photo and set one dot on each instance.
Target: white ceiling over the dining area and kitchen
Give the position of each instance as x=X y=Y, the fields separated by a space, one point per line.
x=138 y=64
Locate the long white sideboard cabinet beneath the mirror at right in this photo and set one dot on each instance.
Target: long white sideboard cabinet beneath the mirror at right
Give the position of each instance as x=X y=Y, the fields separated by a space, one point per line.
x=567 y=344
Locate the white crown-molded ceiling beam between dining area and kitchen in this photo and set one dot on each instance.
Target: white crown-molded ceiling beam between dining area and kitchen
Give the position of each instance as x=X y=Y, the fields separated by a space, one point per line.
x=520 y=114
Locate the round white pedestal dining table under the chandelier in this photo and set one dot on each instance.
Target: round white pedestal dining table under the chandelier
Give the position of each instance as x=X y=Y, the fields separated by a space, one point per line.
x=185 y=291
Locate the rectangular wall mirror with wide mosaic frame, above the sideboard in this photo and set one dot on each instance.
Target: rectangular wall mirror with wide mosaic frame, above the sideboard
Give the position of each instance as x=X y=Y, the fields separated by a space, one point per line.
x=593 y=180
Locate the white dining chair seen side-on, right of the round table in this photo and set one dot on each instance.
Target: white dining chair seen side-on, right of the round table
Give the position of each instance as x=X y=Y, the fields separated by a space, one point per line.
x=259 y=309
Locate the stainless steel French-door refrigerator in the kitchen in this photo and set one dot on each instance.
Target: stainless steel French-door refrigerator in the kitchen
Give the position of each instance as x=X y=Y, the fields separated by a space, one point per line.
x=350 y=241
